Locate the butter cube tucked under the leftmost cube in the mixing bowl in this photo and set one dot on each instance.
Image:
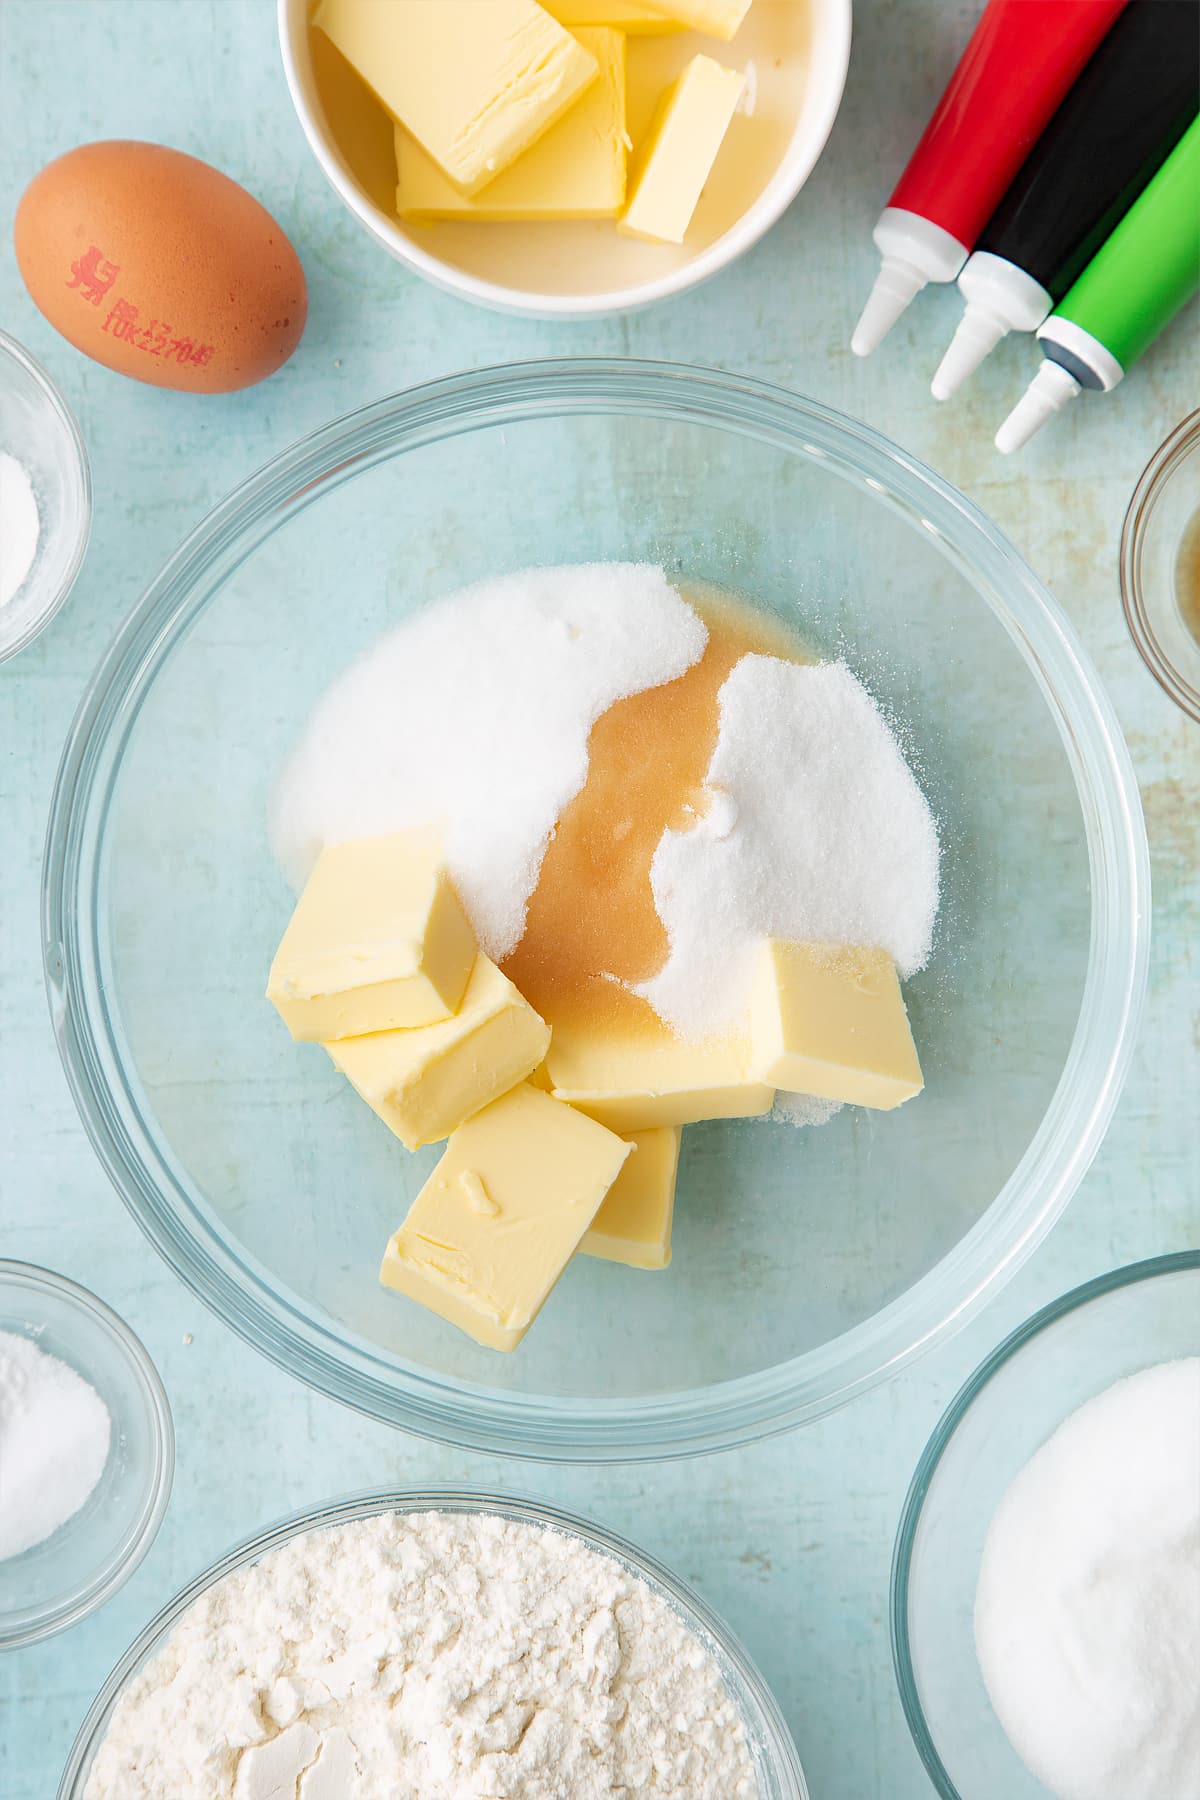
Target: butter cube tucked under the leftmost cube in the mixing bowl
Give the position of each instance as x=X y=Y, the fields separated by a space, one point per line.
x=427 y=1081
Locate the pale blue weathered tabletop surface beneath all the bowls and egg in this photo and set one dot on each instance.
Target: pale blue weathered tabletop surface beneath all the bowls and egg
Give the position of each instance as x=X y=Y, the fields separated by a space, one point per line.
x=789 y=1540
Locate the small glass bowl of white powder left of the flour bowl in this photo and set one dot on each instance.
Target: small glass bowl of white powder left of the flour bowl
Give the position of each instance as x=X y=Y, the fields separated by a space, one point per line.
x=85 y=1421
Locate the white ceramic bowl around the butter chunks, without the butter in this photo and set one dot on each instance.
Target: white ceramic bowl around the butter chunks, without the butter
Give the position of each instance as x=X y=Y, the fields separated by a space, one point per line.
x=589 y=271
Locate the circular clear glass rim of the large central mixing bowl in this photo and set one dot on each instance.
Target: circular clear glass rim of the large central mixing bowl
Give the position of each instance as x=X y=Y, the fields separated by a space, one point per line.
x=749 y=1407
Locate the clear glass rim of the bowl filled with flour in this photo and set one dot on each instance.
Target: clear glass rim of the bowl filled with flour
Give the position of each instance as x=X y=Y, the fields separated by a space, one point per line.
x=366 y=1504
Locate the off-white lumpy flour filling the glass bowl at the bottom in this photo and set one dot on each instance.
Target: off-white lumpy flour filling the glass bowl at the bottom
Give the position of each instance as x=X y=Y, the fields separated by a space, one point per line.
x=436 y=1657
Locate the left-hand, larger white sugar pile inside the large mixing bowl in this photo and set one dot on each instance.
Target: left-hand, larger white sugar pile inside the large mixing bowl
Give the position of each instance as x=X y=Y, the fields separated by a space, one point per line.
x=476 y=715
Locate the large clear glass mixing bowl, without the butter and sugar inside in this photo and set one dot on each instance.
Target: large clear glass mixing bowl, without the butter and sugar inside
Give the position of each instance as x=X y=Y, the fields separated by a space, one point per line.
x=809 y=1264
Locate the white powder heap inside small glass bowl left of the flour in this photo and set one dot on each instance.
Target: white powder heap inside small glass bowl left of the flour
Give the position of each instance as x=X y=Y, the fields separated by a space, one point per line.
x=55 y=1434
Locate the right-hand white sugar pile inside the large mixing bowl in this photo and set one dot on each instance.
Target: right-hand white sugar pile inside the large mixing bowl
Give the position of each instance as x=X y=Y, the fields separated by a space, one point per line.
x=821 y=836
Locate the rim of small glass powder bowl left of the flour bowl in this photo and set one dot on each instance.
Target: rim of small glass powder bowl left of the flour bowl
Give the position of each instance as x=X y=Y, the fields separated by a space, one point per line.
x=31 y=1626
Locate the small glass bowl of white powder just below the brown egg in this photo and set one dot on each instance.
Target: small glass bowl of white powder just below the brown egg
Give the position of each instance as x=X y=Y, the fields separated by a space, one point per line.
x=46 y=498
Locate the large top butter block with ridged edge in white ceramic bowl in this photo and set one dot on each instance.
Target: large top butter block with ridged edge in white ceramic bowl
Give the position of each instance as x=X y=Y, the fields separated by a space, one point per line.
x=476 y=82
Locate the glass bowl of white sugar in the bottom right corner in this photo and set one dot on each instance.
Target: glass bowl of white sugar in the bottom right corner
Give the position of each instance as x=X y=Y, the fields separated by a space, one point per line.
x=1046 y=1583
